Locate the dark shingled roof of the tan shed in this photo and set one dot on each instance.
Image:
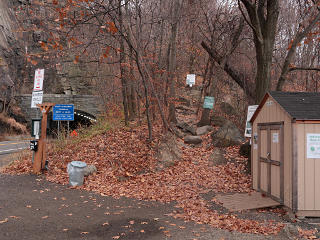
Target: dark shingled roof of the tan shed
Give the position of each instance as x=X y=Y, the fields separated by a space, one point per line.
x=299 y=105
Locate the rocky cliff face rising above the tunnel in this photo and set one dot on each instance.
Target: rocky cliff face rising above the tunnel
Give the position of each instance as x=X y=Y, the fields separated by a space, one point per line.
x=16 y=73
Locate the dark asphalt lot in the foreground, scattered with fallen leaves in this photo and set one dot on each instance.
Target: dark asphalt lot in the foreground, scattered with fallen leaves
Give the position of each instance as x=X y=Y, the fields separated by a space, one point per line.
x=33 y=209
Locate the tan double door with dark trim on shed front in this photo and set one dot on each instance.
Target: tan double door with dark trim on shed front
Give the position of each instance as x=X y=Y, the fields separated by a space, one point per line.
x=270 y=160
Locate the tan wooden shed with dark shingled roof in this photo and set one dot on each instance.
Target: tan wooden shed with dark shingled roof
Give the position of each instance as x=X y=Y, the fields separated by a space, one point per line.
x=285 y=150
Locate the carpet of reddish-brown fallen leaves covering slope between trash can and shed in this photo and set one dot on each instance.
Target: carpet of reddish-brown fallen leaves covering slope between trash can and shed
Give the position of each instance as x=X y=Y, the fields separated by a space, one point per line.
x=122 y=155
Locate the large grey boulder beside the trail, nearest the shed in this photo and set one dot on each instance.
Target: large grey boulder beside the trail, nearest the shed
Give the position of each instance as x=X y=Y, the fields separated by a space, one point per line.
x=227 y=135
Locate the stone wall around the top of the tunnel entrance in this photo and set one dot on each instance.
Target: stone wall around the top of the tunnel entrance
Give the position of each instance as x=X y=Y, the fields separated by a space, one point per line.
x=87 y=103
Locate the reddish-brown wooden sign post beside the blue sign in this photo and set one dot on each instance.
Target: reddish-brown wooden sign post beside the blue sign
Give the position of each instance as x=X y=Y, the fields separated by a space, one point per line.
x=40 y=155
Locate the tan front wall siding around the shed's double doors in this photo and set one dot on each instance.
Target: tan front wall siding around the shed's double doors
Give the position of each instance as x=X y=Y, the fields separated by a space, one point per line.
x=268 y=114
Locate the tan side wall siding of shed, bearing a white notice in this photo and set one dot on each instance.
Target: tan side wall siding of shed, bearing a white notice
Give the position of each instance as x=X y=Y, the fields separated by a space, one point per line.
x=308 y=178
